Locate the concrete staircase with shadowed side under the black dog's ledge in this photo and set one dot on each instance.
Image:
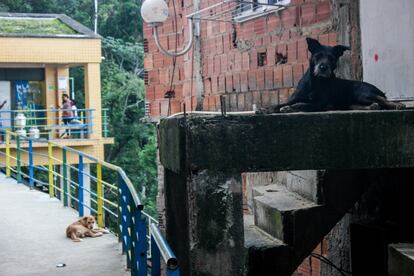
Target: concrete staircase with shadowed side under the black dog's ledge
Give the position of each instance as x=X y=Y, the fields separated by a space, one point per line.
x=292 y=215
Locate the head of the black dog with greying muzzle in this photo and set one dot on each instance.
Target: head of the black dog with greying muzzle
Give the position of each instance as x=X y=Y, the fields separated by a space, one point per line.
x=324 y=59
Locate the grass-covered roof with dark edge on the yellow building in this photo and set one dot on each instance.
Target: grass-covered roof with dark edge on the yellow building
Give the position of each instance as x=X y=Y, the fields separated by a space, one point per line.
x=42 y=25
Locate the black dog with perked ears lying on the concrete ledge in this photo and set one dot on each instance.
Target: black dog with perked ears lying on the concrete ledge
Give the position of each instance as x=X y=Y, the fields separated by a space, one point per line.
x=320 y=90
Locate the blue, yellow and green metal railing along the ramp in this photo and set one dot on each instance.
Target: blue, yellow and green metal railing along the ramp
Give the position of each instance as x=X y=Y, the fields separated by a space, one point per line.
x=104 y=190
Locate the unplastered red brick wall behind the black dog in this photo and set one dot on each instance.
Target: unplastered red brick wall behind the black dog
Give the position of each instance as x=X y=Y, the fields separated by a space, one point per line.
x=233 y=71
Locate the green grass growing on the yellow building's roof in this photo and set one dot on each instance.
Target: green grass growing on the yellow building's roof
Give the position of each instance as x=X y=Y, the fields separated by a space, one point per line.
x=34 y=26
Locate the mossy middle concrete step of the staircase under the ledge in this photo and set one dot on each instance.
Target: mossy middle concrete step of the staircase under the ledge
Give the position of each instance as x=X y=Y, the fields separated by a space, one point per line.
x=285 y=215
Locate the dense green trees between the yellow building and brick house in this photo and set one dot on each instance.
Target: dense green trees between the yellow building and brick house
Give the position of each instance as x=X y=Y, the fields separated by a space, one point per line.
x=122 y=87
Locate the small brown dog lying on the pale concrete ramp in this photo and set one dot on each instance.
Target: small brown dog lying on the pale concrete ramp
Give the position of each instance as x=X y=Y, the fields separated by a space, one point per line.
x=84 y=227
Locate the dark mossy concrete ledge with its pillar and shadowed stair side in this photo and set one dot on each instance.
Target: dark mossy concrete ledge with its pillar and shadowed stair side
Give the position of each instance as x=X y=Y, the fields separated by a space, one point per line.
x=202 y=153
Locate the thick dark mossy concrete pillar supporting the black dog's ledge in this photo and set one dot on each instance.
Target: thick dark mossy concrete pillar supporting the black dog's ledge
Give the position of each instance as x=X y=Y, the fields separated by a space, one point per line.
x=205 y=222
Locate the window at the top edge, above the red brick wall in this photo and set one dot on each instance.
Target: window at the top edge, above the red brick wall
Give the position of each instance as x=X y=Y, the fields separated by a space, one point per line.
x=258 y=8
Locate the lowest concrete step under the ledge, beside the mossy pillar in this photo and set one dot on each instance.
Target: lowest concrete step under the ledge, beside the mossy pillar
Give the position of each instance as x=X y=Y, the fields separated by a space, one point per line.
x=264 y=253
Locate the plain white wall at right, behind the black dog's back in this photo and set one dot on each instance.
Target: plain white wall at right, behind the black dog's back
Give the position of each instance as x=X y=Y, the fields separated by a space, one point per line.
x=387 y=30
